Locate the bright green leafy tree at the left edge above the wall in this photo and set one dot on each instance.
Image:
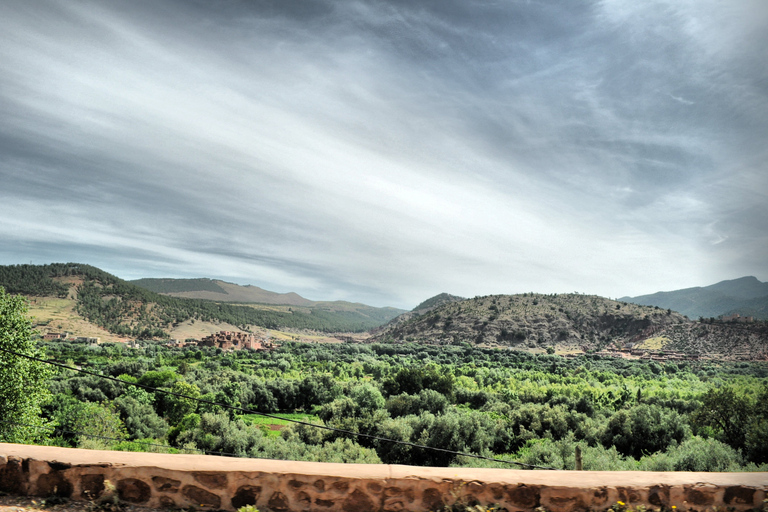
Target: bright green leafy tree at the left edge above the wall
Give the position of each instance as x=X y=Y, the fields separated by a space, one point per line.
x=22 y=381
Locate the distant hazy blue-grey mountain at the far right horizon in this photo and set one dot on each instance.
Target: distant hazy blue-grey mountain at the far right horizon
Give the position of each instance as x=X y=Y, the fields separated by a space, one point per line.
x=746 y=296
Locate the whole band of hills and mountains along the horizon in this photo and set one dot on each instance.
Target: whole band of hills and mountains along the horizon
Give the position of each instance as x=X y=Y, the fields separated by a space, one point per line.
x=163 y=308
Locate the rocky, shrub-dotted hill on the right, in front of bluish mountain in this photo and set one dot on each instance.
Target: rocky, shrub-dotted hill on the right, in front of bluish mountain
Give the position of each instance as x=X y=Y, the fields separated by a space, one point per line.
x=584 y=322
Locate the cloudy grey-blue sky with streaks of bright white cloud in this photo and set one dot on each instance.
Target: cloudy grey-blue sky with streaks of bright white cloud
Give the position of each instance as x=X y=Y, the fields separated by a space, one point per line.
x=386 y=151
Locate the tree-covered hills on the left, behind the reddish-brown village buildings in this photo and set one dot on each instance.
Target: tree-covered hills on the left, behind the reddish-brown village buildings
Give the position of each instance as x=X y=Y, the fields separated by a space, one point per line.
x=124 y=309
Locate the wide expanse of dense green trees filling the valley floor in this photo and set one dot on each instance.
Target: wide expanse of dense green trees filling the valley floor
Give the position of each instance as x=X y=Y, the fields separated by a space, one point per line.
x=505 y=404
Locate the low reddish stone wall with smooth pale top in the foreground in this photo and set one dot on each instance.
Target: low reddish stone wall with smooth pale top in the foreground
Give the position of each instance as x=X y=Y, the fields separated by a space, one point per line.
x=202 y=481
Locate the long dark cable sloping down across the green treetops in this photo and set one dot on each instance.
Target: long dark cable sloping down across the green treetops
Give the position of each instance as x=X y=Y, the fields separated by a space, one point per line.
x=267 y=415
